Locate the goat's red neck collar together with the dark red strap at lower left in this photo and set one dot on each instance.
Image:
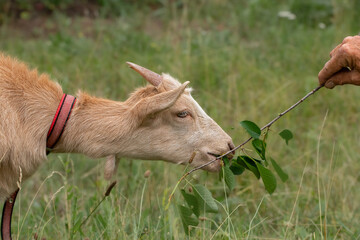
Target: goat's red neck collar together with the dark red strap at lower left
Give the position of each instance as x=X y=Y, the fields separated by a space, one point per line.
x=56 y=129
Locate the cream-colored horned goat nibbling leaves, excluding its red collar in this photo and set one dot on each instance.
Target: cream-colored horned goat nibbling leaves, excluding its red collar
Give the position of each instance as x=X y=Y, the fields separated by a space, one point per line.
x=158 y=122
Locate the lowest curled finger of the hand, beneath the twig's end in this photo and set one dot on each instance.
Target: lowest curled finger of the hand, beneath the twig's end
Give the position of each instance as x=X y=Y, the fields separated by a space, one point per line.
x=343 y=77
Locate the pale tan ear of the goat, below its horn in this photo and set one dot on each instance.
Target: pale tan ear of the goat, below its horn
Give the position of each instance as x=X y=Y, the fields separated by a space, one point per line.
x=157 y=103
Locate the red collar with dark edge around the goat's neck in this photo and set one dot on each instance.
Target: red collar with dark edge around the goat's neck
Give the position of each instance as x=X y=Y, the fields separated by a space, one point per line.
x=59 y=122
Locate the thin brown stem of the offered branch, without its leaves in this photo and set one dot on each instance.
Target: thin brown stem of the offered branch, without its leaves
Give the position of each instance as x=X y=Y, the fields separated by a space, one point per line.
x=266 y=126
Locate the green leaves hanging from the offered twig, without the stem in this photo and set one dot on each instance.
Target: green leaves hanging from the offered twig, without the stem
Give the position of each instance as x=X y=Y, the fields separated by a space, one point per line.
x=201 y=200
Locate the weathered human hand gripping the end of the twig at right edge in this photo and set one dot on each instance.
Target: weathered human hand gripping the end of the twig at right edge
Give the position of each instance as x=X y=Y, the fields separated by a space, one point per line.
x=344 y=64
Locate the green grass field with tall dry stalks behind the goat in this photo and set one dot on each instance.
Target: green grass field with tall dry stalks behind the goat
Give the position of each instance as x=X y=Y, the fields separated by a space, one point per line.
x=245 y=63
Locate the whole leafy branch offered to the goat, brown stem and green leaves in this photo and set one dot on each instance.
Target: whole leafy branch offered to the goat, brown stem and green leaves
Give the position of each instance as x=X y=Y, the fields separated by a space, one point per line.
x=199 y=199
